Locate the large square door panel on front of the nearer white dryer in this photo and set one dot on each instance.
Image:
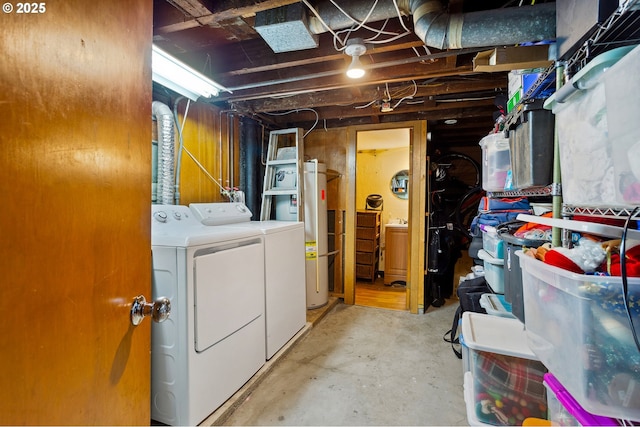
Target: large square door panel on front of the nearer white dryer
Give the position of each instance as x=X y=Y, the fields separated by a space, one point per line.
x=228 y=290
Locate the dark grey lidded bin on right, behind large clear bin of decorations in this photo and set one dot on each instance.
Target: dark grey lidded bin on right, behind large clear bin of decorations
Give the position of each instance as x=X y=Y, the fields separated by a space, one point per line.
x=513 y=272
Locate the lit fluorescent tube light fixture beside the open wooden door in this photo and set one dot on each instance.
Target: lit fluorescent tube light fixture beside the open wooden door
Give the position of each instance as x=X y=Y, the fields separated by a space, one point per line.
x=181 y=78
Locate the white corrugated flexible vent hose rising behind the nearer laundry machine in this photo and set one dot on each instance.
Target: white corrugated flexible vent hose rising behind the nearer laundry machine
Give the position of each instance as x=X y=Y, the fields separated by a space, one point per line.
x=166 y=144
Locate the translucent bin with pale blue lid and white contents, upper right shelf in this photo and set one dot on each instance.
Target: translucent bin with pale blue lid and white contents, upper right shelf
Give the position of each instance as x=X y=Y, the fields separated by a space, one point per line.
x=581 y=115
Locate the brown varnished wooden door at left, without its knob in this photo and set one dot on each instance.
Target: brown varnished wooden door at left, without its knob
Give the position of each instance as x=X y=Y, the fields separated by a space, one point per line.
x=75 y=155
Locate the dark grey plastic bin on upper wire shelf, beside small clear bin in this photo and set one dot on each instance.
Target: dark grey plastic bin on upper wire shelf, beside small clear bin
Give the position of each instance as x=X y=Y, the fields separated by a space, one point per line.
x=531 y=147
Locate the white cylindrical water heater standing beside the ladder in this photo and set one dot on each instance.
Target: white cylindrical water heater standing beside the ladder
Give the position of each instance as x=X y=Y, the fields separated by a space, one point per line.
x=316 y=237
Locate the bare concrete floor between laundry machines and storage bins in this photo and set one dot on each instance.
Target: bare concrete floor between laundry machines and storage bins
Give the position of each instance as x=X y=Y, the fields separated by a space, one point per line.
x=358 y=366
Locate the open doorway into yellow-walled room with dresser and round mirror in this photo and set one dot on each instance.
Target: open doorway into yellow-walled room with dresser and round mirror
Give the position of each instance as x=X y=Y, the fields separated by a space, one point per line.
x=383 y=161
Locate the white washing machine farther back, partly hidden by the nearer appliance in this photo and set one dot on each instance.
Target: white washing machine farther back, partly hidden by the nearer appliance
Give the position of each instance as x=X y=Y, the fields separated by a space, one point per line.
x=284 y=268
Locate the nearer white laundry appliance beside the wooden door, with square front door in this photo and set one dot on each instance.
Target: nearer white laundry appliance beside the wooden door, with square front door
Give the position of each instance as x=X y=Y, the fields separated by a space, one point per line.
x=213 y=342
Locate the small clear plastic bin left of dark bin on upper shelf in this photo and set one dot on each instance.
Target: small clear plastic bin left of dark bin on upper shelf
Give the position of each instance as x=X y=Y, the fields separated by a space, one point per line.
x=495 y=161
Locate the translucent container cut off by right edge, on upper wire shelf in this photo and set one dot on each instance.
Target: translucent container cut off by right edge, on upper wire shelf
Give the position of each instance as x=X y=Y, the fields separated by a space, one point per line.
x=623 y=111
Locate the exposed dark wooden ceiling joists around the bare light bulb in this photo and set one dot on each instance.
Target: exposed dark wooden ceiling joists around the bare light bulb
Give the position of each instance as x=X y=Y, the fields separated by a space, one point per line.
x=218 y=38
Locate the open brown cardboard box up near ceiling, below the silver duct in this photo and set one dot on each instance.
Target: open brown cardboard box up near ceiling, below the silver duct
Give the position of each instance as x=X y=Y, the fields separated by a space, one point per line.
x=512 y=58
